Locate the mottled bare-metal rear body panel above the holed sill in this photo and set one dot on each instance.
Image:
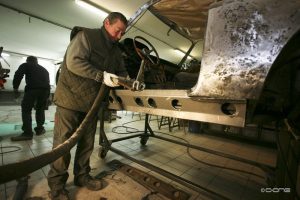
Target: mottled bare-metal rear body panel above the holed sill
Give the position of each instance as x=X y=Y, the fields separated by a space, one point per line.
x=242 y=41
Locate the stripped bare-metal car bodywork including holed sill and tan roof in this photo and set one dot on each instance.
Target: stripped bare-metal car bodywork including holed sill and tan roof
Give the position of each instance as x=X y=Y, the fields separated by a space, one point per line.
x=243 y=40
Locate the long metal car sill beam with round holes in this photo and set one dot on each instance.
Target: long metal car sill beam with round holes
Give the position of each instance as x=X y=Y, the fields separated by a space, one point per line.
x=176 y=103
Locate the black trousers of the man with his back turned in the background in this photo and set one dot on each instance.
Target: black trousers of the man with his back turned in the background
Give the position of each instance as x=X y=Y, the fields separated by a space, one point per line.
x=38 y=99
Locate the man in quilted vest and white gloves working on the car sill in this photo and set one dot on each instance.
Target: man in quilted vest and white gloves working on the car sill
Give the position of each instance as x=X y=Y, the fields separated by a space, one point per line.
x=91 y=59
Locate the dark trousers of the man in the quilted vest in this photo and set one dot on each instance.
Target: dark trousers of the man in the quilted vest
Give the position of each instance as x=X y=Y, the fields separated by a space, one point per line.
x=66 y=123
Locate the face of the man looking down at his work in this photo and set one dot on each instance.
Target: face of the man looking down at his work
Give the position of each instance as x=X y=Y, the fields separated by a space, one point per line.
x=115 y=30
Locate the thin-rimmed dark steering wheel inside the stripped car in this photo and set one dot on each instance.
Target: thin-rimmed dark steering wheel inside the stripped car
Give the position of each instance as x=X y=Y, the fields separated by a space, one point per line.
x=144 y=53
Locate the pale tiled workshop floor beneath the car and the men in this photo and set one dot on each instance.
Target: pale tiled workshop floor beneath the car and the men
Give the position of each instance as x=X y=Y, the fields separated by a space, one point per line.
x=171 y=157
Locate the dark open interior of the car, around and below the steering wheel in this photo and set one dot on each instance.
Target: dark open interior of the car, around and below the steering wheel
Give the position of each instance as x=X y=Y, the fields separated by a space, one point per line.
x=162 y=74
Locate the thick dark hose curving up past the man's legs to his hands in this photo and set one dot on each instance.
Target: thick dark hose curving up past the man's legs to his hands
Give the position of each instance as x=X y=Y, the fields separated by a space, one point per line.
x=23 y=168
